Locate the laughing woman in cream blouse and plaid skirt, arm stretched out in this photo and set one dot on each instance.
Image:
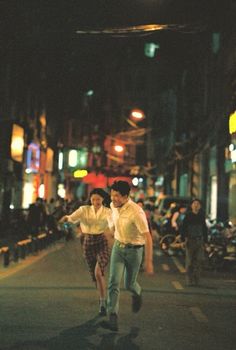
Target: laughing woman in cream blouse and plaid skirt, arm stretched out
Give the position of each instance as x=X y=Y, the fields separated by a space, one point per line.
x=94 y=220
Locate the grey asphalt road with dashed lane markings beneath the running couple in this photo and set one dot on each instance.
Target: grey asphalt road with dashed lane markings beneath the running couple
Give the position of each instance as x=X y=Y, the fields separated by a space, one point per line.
x=48 y=302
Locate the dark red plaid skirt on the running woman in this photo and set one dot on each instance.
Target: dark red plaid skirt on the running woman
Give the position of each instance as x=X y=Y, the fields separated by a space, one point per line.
x=95 y=250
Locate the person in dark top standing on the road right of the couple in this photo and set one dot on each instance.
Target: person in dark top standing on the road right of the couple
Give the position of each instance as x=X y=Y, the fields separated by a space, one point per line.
x=194 y=234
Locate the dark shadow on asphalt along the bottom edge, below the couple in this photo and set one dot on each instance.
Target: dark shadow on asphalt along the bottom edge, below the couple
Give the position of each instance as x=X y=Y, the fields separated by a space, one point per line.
x=87 y=336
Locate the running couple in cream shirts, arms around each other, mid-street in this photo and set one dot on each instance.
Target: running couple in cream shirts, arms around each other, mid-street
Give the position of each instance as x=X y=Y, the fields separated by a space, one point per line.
x=128 y=222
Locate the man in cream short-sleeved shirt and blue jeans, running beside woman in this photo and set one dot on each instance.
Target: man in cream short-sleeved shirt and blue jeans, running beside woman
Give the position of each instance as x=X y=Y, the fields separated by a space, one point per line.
x=131 y=235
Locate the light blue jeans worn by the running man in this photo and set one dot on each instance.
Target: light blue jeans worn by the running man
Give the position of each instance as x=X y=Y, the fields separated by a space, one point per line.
x=124 y=261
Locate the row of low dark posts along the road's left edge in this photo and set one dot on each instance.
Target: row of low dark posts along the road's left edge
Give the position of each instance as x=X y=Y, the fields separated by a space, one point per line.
x=28 y=246
